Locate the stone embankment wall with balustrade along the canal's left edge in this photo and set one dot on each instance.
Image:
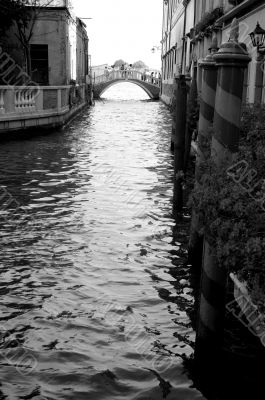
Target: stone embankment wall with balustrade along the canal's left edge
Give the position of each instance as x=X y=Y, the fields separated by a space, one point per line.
x=24 y=109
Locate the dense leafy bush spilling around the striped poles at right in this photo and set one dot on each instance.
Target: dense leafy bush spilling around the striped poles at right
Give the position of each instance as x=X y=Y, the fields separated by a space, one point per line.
x=230 y=204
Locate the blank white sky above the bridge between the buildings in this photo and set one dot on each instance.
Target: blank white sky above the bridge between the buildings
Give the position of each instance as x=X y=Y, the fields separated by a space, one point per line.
x=126 y=29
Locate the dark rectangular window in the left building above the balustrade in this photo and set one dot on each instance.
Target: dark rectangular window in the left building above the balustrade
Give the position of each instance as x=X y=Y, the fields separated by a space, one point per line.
x=40 y=63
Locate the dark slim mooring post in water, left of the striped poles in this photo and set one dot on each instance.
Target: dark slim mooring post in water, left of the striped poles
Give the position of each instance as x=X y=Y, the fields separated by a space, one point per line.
x=179 y=122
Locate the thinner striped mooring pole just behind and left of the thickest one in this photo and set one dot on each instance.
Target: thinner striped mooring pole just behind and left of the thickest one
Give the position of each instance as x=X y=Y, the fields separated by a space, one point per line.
x=207 y=102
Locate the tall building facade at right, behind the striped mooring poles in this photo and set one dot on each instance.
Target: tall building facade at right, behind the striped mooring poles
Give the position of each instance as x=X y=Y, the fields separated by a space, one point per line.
x=188 y=29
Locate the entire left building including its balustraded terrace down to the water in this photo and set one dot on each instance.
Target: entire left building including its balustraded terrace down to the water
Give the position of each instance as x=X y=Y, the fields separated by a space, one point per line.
x=46 y=83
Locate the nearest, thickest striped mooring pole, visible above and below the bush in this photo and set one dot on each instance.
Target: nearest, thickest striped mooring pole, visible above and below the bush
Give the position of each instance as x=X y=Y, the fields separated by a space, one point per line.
x=232 y=60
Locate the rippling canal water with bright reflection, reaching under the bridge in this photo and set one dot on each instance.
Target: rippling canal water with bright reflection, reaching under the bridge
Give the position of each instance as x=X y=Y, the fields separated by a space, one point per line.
x=96 y=300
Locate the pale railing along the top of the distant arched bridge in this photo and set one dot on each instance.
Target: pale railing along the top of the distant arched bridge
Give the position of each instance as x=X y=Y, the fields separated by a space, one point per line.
x=128 y=75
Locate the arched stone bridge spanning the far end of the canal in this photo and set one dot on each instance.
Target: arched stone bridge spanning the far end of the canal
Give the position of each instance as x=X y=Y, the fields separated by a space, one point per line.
x=150 y=85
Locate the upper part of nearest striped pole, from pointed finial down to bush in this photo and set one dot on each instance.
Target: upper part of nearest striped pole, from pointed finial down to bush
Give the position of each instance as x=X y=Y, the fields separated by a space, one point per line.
x=232 y=60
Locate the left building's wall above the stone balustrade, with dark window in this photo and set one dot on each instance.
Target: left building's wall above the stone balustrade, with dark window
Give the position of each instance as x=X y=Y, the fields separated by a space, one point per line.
x=58 y=46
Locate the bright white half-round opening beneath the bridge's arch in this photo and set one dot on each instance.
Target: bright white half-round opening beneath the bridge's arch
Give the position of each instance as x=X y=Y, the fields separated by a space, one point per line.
x=125 y=91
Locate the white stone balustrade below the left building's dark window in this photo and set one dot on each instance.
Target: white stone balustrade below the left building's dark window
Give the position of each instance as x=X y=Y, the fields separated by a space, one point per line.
x=31 y=100
